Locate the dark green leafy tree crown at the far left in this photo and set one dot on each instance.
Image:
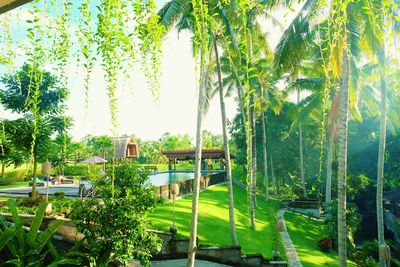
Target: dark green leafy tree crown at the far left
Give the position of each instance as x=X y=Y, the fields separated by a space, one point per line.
x=32 y=133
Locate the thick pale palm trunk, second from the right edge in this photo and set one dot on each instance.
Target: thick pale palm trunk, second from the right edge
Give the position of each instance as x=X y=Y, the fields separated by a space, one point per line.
x=342 y=158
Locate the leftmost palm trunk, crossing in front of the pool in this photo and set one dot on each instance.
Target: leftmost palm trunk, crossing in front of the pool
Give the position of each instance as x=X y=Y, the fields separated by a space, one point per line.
x=197 y=174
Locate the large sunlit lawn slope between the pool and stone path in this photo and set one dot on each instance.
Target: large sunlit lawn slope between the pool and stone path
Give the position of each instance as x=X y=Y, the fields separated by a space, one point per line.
x=213 y=222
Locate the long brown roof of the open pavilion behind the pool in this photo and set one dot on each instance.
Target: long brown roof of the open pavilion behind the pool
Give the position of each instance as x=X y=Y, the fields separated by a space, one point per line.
x=190 y=154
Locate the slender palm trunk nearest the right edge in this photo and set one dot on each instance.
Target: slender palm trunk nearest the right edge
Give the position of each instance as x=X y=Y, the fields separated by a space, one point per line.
x=380 y=176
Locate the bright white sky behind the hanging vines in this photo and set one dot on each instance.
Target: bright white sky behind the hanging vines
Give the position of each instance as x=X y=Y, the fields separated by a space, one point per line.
x=139 y=113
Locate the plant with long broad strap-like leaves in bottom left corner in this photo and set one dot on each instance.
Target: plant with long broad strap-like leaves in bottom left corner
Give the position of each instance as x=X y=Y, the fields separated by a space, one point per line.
x=23 y=248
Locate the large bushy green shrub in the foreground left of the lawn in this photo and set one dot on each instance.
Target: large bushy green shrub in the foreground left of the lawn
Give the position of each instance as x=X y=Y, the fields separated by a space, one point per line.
x=116 y=230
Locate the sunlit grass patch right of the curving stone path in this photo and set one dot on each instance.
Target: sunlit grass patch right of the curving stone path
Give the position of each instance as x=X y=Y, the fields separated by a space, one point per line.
x=305 y=232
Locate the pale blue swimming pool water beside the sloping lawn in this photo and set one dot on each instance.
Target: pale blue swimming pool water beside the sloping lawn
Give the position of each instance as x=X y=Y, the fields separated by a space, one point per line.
x=170 y=177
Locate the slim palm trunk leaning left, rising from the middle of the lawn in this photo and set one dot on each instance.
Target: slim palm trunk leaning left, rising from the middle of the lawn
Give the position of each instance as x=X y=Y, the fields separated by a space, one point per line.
x=226 y=148
